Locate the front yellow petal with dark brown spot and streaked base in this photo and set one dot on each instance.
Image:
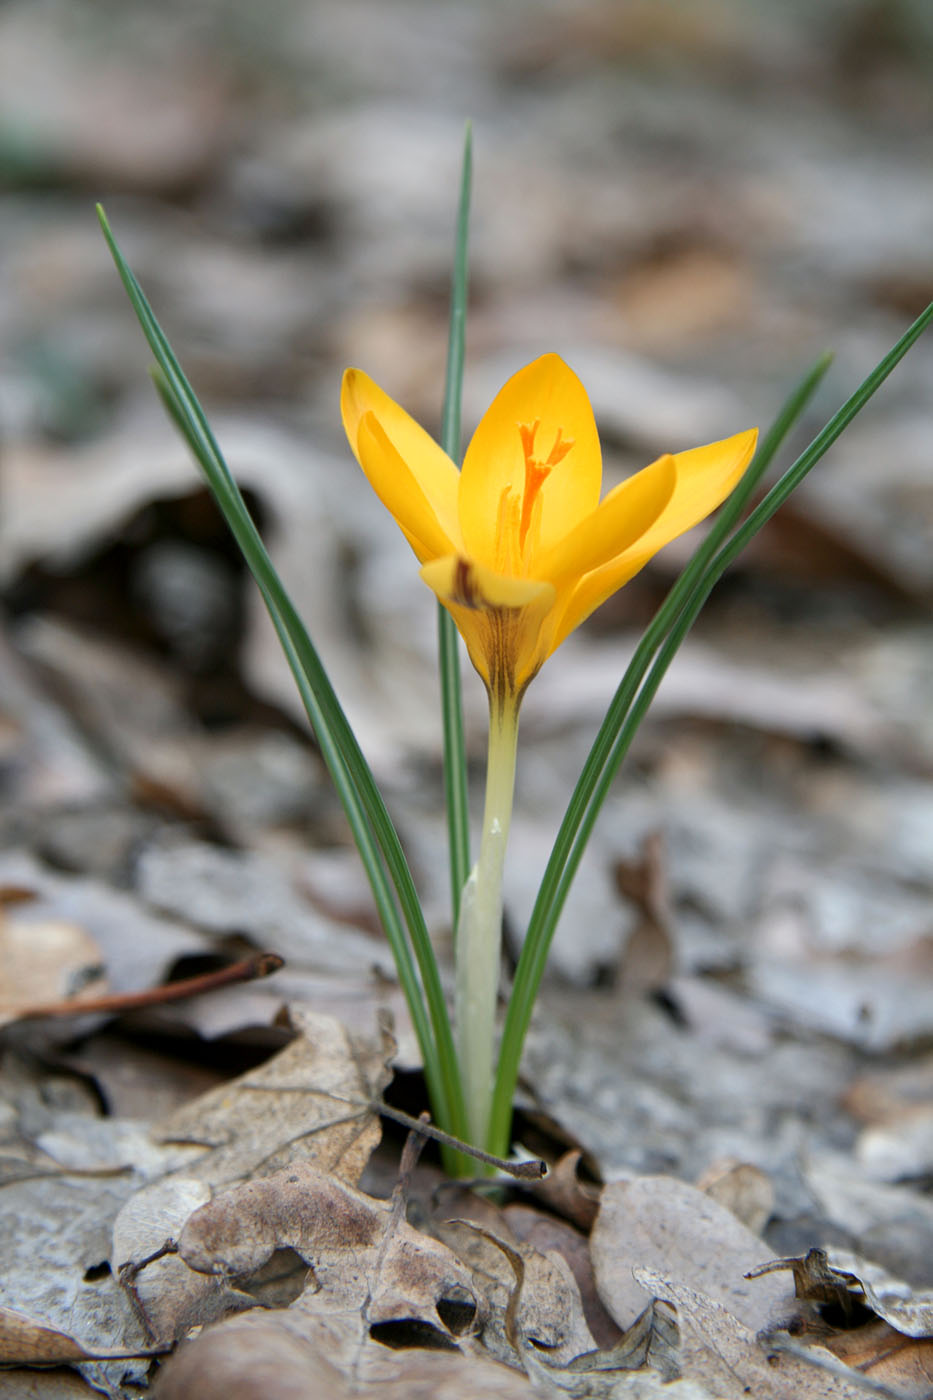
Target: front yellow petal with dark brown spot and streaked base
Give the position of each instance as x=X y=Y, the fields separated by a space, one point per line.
x=501 y=619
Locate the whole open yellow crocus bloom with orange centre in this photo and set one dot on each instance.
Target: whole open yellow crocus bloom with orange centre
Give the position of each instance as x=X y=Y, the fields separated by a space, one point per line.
x=518 y=545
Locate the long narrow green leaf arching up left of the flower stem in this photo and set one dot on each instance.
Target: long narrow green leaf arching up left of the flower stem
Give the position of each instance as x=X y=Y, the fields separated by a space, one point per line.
x=378 y=841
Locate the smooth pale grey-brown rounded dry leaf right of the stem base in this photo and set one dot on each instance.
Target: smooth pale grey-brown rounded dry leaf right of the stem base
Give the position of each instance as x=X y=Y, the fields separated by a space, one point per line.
x=662 y=1224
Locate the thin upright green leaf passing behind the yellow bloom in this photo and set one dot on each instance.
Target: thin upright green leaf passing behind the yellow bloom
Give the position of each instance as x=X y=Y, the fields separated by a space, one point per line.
x=456 y=790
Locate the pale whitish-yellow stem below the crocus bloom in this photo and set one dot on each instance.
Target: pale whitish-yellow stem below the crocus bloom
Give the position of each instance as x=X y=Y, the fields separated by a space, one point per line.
x=480 y=929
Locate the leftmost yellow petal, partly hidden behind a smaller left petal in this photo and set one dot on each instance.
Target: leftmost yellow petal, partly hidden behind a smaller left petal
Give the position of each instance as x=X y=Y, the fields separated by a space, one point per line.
x=428 y=464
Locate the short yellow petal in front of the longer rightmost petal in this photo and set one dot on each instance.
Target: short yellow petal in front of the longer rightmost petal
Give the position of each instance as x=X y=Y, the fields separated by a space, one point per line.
x=618 y=523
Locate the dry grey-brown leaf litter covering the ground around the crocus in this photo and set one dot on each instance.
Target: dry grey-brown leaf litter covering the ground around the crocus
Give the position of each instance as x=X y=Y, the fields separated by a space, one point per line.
x=742 y=1004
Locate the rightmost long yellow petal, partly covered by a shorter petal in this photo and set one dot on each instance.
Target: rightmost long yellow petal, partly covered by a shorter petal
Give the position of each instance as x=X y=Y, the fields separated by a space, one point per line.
x=705 y=477
